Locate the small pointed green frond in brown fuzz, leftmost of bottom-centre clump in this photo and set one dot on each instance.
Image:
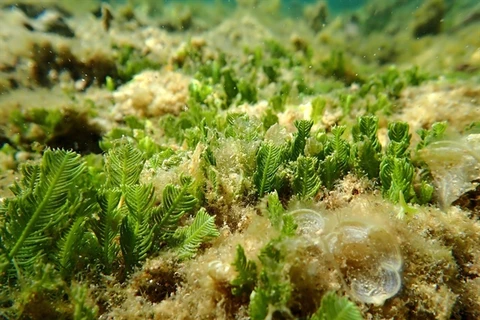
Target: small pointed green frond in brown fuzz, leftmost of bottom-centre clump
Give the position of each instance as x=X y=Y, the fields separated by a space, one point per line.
x=247 y=274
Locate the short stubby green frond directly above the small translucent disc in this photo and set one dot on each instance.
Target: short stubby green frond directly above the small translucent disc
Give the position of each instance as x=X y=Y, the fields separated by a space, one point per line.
x=306 y=181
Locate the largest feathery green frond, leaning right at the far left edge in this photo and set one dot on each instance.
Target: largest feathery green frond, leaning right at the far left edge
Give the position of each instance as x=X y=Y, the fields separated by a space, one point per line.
x=41 y=202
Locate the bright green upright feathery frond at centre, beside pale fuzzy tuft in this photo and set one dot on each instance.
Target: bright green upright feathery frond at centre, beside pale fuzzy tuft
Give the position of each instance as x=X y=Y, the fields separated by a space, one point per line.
x=269 y=157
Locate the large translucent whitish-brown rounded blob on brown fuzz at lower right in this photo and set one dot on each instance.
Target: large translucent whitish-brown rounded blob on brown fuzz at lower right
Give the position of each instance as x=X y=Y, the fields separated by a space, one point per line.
x=369 y=260
